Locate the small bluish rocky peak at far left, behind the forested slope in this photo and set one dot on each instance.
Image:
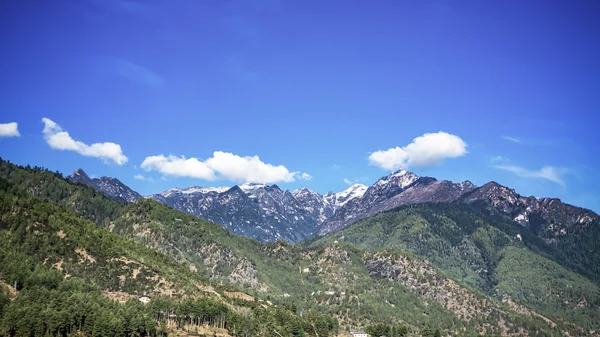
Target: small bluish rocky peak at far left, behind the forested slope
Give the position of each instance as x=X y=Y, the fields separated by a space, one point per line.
x=113 y=188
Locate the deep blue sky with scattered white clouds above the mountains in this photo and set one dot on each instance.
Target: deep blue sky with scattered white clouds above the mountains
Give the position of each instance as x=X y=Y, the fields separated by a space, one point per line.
x=310 y=87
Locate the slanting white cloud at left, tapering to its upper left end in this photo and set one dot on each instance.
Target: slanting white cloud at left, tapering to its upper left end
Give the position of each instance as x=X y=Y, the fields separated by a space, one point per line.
x=61 y=140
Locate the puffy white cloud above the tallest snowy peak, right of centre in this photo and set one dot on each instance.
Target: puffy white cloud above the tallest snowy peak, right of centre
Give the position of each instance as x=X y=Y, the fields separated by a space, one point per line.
x=425 y=150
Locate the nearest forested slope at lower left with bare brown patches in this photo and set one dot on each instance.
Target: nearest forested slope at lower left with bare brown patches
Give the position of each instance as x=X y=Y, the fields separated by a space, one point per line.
x=62 y=275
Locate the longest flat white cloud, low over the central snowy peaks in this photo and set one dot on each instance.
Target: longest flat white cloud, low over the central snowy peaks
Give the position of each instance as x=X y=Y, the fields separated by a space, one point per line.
x=222 y=165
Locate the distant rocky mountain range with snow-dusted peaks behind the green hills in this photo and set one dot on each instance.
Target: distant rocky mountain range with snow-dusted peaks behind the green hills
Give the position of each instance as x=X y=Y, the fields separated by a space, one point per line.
x=268 y=213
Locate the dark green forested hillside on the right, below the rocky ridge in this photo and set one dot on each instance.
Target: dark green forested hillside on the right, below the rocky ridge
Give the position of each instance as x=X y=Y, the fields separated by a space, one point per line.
x=495 y=256
